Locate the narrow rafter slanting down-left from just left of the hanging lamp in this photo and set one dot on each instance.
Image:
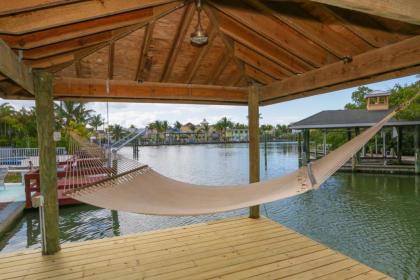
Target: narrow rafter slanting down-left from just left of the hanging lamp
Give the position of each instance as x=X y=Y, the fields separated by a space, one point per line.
x=178 y=40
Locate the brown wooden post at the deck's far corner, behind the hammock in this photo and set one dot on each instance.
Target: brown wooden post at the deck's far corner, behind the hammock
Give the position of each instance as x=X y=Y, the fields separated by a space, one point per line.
x=254 y=142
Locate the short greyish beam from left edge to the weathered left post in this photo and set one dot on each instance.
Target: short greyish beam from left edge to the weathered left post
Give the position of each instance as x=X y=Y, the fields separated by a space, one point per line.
x=13 y=68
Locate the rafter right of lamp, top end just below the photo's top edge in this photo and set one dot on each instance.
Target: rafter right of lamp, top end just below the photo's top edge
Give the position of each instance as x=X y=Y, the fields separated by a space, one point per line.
x=257 y=43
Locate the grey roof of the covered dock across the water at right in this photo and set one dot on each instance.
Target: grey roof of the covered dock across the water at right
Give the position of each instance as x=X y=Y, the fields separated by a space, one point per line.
x=348 y=118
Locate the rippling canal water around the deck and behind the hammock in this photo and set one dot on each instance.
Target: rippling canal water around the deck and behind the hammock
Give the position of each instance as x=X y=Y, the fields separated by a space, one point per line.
x=371 y=218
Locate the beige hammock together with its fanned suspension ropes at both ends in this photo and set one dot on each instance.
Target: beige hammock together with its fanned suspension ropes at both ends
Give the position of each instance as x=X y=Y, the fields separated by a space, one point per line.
x=111 y=181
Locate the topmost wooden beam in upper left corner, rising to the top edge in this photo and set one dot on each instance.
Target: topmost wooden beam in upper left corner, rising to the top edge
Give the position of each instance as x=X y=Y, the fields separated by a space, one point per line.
x=69 y=14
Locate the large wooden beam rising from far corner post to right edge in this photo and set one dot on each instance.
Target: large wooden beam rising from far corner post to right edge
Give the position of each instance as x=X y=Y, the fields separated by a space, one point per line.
x=378 y=62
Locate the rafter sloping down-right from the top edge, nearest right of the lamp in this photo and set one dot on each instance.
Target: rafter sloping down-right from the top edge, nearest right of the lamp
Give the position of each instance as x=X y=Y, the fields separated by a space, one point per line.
x=279 y=33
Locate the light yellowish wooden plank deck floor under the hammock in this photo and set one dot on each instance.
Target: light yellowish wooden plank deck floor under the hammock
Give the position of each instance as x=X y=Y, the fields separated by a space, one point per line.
x=239 y=248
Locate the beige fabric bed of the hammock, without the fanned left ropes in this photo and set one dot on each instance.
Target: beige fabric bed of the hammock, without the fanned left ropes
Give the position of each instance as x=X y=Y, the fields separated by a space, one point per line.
x=145 y=191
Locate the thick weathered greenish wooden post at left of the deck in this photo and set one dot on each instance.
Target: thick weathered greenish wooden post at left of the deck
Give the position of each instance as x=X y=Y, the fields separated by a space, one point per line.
x=43 y=85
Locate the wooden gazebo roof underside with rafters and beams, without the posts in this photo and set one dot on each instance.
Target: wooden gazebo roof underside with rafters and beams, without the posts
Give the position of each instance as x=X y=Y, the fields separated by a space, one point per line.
x=140 y=50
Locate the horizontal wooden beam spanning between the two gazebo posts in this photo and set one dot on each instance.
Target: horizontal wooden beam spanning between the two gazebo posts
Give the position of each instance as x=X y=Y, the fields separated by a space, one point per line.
x=127 y=91
